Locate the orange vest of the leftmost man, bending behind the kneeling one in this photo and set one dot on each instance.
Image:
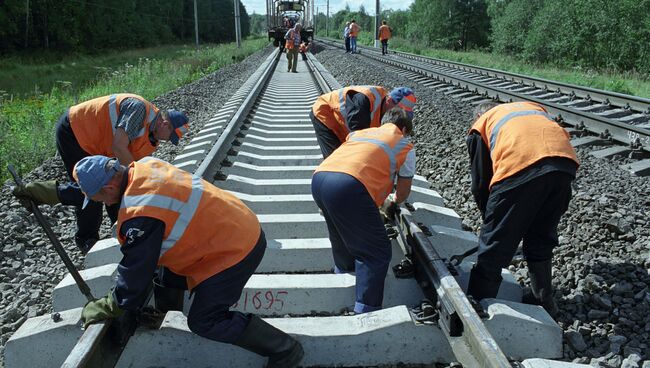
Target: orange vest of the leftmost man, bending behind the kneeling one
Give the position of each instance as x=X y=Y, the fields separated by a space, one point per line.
x=93 y=124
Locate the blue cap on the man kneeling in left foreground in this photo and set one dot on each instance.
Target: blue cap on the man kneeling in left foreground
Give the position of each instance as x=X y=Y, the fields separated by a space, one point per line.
x=92 y=173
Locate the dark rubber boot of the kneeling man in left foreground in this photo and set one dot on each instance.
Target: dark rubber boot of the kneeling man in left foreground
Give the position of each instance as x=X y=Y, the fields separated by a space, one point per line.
x=261 y=338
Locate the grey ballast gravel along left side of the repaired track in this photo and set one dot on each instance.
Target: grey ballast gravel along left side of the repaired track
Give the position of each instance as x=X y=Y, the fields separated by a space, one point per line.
x=29 y=266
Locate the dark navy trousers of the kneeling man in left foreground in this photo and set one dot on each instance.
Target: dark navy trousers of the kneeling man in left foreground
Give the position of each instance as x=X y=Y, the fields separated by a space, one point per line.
x=210 y=314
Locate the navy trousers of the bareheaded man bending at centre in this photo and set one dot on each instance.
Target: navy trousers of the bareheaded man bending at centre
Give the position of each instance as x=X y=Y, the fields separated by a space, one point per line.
x=357 y=233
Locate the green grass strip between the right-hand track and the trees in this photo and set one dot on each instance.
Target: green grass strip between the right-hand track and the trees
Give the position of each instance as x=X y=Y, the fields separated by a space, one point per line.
x=628 y=83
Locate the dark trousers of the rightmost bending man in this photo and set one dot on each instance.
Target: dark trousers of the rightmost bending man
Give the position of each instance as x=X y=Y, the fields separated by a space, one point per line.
x=530 y=211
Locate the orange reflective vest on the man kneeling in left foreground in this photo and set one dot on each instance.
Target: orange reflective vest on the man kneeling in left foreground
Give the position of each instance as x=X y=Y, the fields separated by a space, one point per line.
x=207 y=230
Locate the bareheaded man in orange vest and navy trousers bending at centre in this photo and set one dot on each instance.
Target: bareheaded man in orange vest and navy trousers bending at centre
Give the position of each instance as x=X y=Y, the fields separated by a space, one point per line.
x=349 y=187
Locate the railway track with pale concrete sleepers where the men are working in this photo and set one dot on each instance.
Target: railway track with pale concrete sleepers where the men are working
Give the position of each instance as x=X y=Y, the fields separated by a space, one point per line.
x=261 y=147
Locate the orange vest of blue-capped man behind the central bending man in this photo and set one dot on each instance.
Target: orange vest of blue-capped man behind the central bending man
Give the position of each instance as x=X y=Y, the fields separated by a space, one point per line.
x=330 y=108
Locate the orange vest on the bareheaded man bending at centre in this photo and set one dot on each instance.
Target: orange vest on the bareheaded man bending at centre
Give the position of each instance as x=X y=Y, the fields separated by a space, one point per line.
x=373 y=156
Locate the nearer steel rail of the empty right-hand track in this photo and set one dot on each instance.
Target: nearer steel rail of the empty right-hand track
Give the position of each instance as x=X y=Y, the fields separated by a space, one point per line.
x=606 y=128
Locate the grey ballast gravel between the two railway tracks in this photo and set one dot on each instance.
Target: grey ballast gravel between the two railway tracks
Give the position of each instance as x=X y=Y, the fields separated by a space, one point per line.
x=602 y=266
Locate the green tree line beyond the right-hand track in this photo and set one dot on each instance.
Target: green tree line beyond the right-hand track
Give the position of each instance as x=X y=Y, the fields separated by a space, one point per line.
x=602 y=34
